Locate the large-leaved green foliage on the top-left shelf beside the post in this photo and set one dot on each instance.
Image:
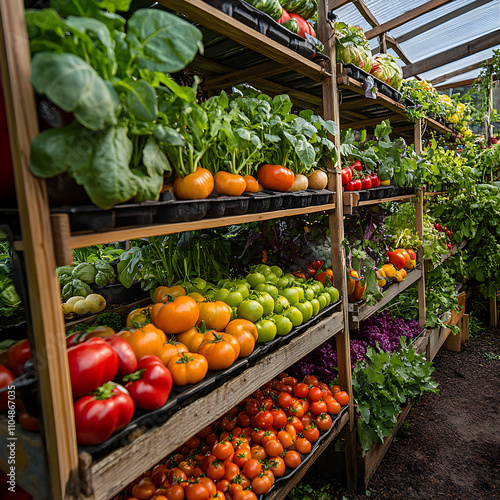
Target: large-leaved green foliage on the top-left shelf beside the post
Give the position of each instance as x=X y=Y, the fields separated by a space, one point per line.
x=113 y=82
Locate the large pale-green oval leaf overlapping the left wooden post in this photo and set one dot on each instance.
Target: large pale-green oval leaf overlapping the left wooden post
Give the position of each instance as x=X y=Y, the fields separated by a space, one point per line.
x=73 y=85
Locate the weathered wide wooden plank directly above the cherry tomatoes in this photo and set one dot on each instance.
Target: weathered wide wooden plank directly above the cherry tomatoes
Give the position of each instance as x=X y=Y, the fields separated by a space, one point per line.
x=113 y=472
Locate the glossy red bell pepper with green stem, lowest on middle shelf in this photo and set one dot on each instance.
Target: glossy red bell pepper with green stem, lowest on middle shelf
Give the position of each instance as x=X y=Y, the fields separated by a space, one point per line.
x=108 y=409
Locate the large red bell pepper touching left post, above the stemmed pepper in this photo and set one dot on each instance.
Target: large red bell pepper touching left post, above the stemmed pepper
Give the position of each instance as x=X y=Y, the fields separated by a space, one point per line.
x=91 y=364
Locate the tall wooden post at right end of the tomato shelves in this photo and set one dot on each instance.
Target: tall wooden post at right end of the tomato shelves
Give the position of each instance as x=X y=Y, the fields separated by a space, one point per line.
x=331 y=112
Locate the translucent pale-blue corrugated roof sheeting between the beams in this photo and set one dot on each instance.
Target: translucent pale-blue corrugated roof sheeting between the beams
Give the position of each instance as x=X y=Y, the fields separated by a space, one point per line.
x=483 y=17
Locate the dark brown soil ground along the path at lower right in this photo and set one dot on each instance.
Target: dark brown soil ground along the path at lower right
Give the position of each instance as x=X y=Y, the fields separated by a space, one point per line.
x=449 y=445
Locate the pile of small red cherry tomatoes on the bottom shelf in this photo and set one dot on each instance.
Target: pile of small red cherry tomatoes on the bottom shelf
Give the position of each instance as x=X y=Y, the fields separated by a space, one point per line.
x=240 y=455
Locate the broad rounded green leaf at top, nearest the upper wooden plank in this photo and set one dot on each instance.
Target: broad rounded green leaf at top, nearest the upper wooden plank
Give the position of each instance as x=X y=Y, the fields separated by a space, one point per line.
x=160 y=41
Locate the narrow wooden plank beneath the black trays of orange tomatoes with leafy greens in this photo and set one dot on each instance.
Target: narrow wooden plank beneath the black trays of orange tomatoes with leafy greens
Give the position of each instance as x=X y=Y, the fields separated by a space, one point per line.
x=85 y=240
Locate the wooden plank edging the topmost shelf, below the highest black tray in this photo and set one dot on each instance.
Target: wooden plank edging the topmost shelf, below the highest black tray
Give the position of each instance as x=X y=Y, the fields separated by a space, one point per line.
x=212 y=18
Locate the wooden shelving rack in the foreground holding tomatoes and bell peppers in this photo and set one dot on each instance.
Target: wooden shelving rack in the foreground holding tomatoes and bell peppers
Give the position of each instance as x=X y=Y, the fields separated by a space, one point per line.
x=47 y=241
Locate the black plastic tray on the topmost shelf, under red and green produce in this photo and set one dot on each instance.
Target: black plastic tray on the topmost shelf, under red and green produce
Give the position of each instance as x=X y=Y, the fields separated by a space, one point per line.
x=265 y=24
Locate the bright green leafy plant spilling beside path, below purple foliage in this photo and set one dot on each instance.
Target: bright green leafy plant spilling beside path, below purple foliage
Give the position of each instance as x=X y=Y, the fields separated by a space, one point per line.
x=382 y=384
